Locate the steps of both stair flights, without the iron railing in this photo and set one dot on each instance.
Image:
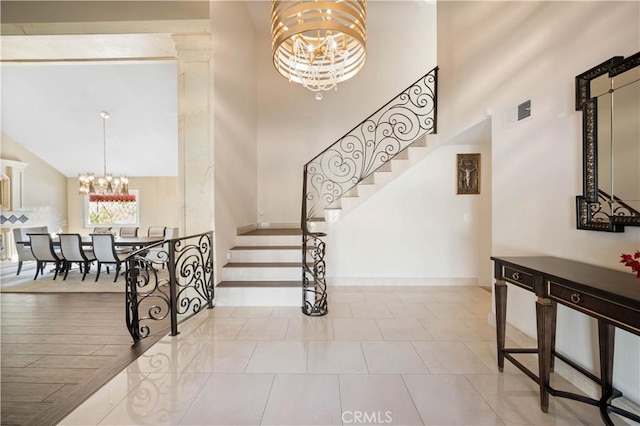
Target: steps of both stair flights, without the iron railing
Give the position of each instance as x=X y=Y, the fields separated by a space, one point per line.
x=264 y=268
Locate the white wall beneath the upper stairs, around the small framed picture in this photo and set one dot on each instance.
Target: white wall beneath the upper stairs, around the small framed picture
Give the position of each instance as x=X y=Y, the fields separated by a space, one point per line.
x=417 y=230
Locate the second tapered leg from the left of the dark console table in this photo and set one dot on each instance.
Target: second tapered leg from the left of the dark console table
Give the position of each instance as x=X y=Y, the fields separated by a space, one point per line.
x=545 y=317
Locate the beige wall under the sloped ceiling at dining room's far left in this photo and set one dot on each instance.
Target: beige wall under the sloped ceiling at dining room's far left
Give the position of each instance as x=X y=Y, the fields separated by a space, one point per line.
x=44 y=192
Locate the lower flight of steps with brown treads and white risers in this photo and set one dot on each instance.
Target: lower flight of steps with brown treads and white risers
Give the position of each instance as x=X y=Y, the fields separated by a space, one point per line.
x=264 y=269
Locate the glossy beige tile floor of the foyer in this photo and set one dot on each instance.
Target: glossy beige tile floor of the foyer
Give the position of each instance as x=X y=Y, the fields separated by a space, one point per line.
x=393 y=355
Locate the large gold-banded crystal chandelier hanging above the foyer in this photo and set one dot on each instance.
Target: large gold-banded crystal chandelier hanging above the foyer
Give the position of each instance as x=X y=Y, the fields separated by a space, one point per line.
x=318 y=43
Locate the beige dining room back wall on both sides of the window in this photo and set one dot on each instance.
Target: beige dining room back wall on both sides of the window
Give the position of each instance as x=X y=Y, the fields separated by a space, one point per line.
x=158 y=203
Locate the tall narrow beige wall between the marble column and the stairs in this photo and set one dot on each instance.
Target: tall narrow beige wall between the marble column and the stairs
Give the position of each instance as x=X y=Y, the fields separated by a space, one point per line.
x=235 y=165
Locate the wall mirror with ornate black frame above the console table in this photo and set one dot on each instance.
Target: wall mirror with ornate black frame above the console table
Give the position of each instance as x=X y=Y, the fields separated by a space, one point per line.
x=609 y=96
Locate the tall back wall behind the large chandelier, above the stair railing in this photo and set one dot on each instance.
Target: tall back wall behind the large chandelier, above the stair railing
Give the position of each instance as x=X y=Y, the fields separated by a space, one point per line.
x=293 y=127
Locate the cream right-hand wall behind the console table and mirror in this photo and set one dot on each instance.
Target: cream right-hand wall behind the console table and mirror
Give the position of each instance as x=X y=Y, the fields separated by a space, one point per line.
x=492 y=56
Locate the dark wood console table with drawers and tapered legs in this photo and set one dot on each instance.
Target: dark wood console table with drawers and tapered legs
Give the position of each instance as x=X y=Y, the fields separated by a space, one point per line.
x=612 y=297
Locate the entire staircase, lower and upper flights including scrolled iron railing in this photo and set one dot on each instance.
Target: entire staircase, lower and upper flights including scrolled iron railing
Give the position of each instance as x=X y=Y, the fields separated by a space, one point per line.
x=264 y=269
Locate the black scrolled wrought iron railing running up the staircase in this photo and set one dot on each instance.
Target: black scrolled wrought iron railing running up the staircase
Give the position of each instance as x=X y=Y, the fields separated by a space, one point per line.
x=354 y=157
